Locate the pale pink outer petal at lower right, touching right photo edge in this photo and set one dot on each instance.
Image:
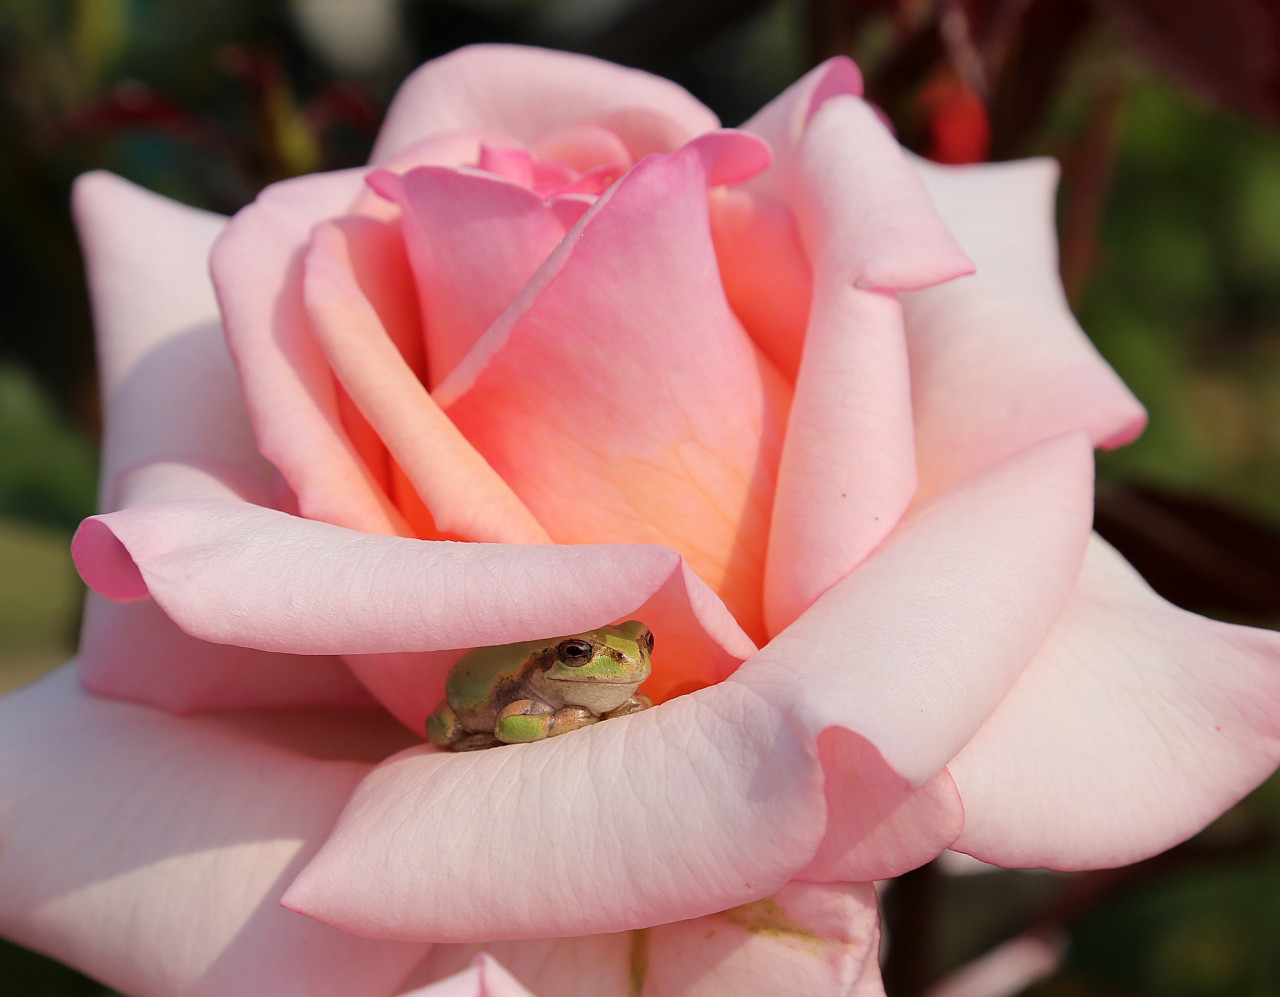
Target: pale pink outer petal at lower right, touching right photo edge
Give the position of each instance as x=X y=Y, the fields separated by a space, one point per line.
x=1135 y=726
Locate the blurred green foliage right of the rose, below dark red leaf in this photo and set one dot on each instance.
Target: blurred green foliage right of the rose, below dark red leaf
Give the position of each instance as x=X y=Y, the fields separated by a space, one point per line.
x=1186 y=301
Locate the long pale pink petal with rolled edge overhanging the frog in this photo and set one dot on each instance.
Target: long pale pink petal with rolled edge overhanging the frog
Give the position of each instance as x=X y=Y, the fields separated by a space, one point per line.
x=237 y=574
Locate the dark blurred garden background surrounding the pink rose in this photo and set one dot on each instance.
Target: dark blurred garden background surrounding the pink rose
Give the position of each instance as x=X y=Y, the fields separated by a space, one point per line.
x=1164 y=115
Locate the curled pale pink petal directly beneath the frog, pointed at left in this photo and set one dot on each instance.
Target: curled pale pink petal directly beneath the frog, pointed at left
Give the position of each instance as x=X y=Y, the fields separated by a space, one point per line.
x=703 y=803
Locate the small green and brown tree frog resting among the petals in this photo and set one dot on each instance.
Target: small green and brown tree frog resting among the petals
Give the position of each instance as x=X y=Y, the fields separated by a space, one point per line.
x=536 y=689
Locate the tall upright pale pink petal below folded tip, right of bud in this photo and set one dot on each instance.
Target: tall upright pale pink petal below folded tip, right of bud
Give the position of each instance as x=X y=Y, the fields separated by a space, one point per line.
x=848 y=470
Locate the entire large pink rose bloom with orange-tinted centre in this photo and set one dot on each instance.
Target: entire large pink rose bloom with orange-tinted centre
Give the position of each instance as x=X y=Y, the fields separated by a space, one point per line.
x=569 y=354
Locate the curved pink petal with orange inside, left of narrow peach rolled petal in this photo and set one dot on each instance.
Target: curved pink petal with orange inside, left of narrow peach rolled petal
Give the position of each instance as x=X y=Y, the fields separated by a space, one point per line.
x=333 y=460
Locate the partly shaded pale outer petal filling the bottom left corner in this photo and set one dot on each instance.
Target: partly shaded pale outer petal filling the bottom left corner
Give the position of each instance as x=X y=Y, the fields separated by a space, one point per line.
x=152 y=853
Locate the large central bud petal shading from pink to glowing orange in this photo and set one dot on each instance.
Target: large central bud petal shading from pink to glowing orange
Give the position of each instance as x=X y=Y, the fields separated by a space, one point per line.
x=601 y=409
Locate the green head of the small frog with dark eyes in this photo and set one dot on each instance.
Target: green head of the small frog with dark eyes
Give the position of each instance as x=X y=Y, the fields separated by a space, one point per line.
x=600 y=670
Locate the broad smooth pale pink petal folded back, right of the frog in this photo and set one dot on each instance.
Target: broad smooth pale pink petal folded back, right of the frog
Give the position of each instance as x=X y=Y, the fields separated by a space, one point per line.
x=915 y=650
